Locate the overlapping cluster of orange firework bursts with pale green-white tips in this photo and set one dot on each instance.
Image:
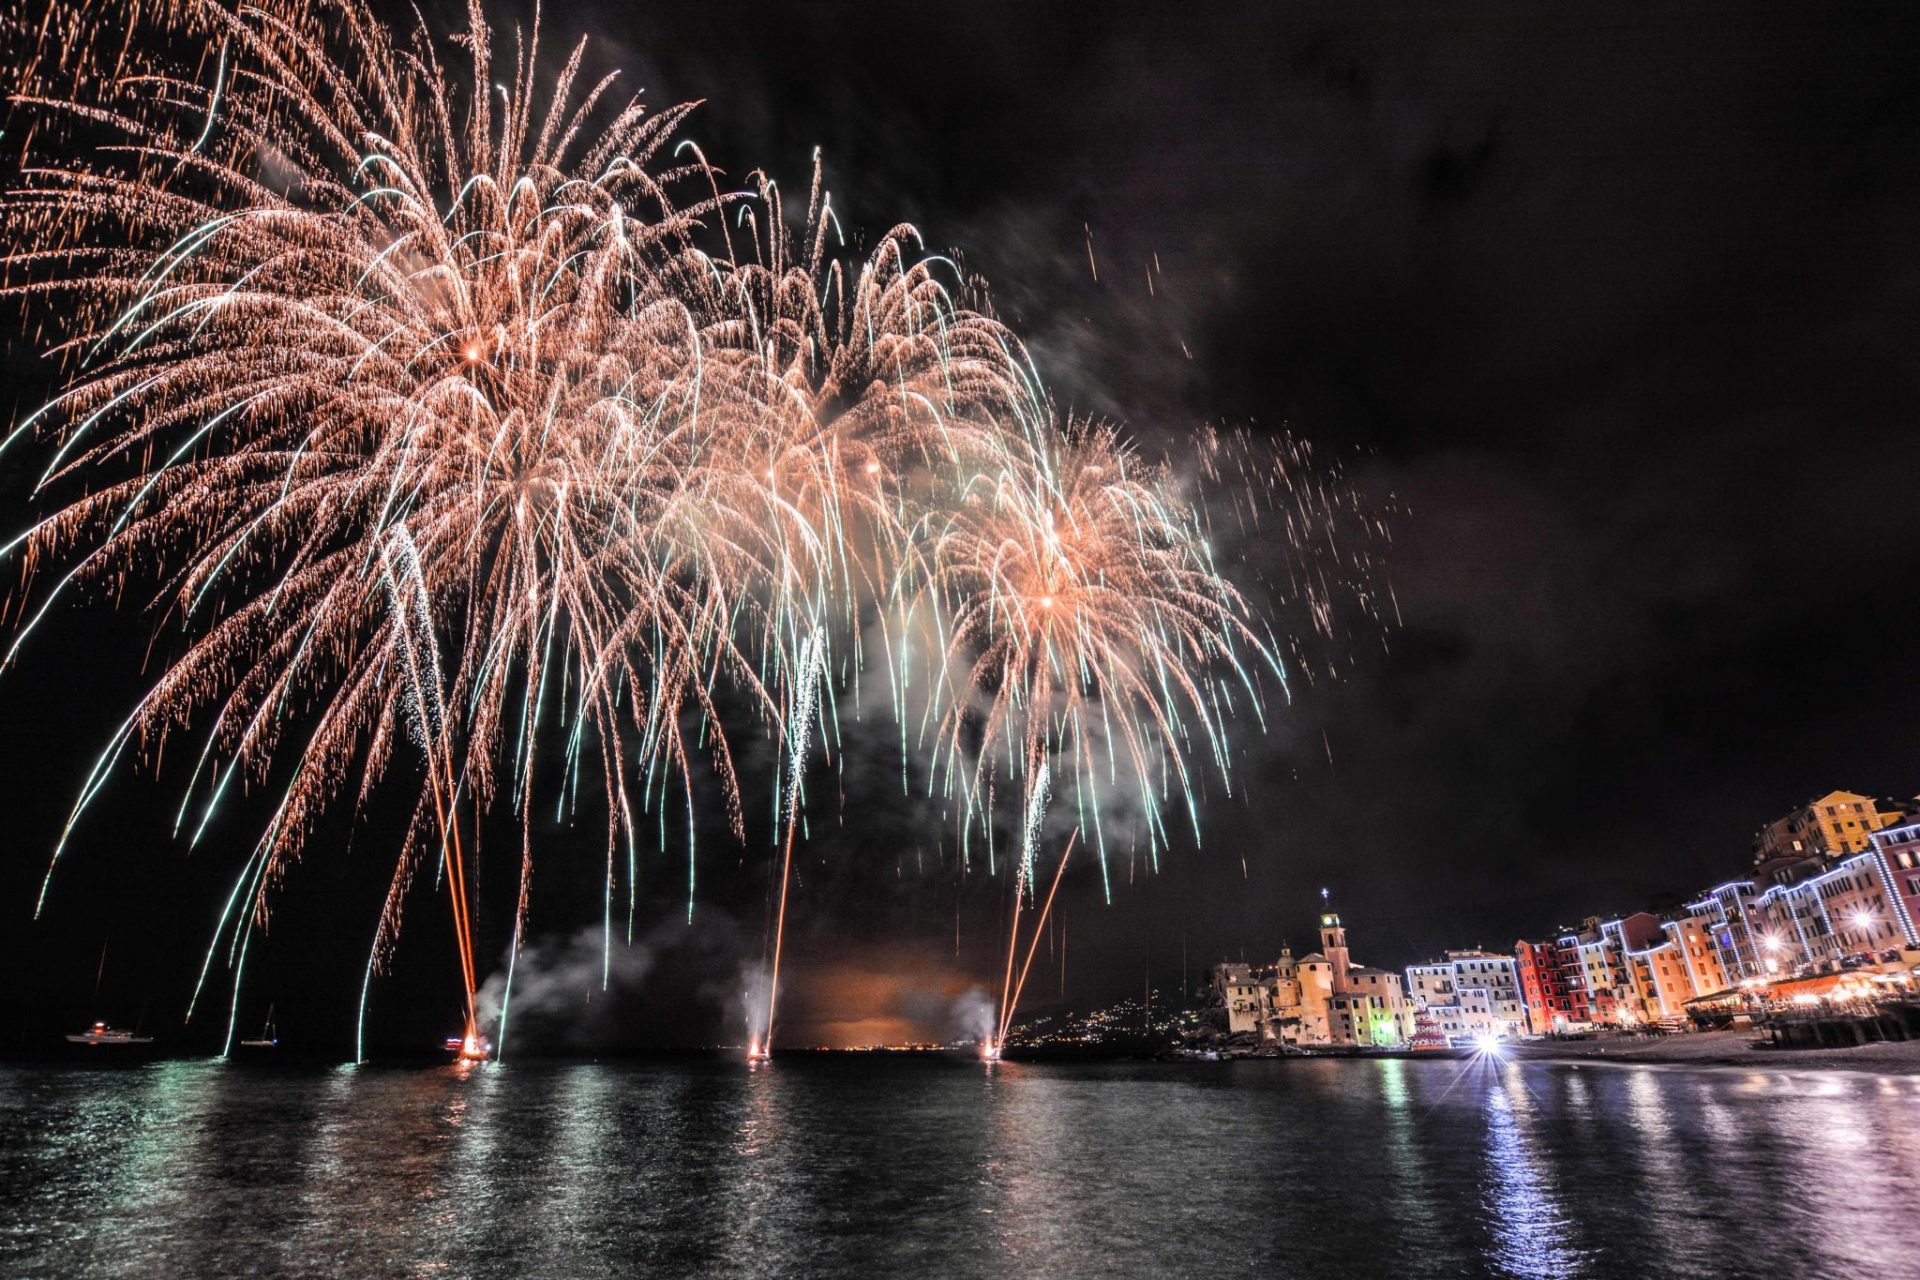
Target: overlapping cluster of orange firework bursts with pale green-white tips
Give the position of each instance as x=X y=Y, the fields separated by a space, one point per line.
x=433 y=410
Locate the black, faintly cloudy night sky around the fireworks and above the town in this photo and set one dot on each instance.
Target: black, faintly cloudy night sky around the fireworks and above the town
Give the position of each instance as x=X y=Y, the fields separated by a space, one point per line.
x=1618 y=302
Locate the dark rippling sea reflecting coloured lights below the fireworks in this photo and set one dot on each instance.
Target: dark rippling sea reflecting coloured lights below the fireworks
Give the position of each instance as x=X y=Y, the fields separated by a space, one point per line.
x=867 y=1166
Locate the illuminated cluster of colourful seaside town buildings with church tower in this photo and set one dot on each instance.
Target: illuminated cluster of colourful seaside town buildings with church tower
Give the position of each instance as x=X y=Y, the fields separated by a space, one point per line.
x=1835 y=895
